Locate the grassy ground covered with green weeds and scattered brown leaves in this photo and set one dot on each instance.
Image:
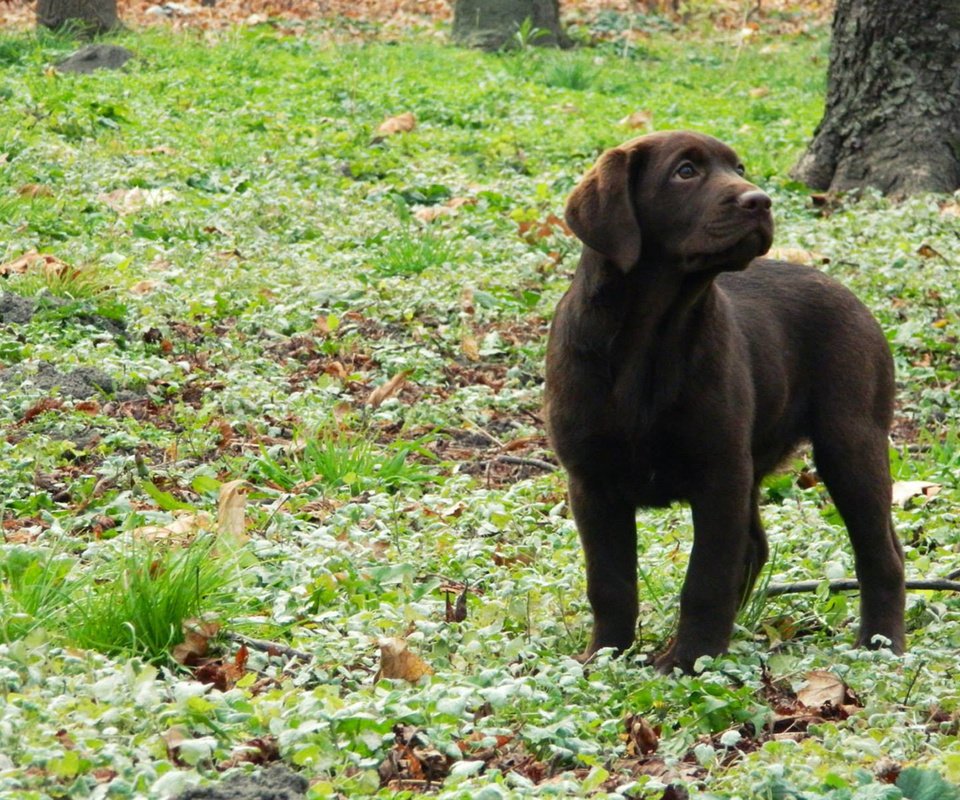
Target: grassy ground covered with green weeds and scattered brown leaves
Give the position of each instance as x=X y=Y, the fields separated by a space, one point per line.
x=274 y=483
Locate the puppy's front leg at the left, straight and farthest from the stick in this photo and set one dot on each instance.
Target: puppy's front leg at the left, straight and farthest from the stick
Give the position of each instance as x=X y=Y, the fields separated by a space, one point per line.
x=608 y=533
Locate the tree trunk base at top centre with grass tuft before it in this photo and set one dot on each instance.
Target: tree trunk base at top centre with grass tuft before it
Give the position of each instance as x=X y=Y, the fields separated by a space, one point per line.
x=492 y=24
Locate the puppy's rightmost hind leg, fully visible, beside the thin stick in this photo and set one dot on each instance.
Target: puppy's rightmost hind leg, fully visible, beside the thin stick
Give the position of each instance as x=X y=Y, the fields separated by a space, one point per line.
x=853 y=461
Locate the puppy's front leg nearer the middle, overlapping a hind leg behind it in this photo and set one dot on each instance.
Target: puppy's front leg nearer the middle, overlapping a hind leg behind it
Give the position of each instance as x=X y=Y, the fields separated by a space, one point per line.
x=716 y=573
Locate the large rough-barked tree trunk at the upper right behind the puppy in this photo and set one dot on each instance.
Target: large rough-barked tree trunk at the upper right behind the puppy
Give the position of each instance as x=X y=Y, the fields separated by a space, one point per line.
x=892 y=117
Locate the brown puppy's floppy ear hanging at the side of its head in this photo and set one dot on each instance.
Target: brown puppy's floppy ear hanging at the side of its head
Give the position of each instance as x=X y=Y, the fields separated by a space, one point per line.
x=600 y=209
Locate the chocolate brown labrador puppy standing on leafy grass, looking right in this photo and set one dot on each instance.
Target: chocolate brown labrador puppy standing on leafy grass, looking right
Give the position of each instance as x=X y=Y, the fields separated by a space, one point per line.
x=681 y=366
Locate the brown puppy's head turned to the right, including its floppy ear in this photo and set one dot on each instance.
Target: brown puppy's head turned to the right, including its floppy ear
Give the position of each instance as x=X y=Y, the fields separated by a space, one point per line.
x=682 y=195
